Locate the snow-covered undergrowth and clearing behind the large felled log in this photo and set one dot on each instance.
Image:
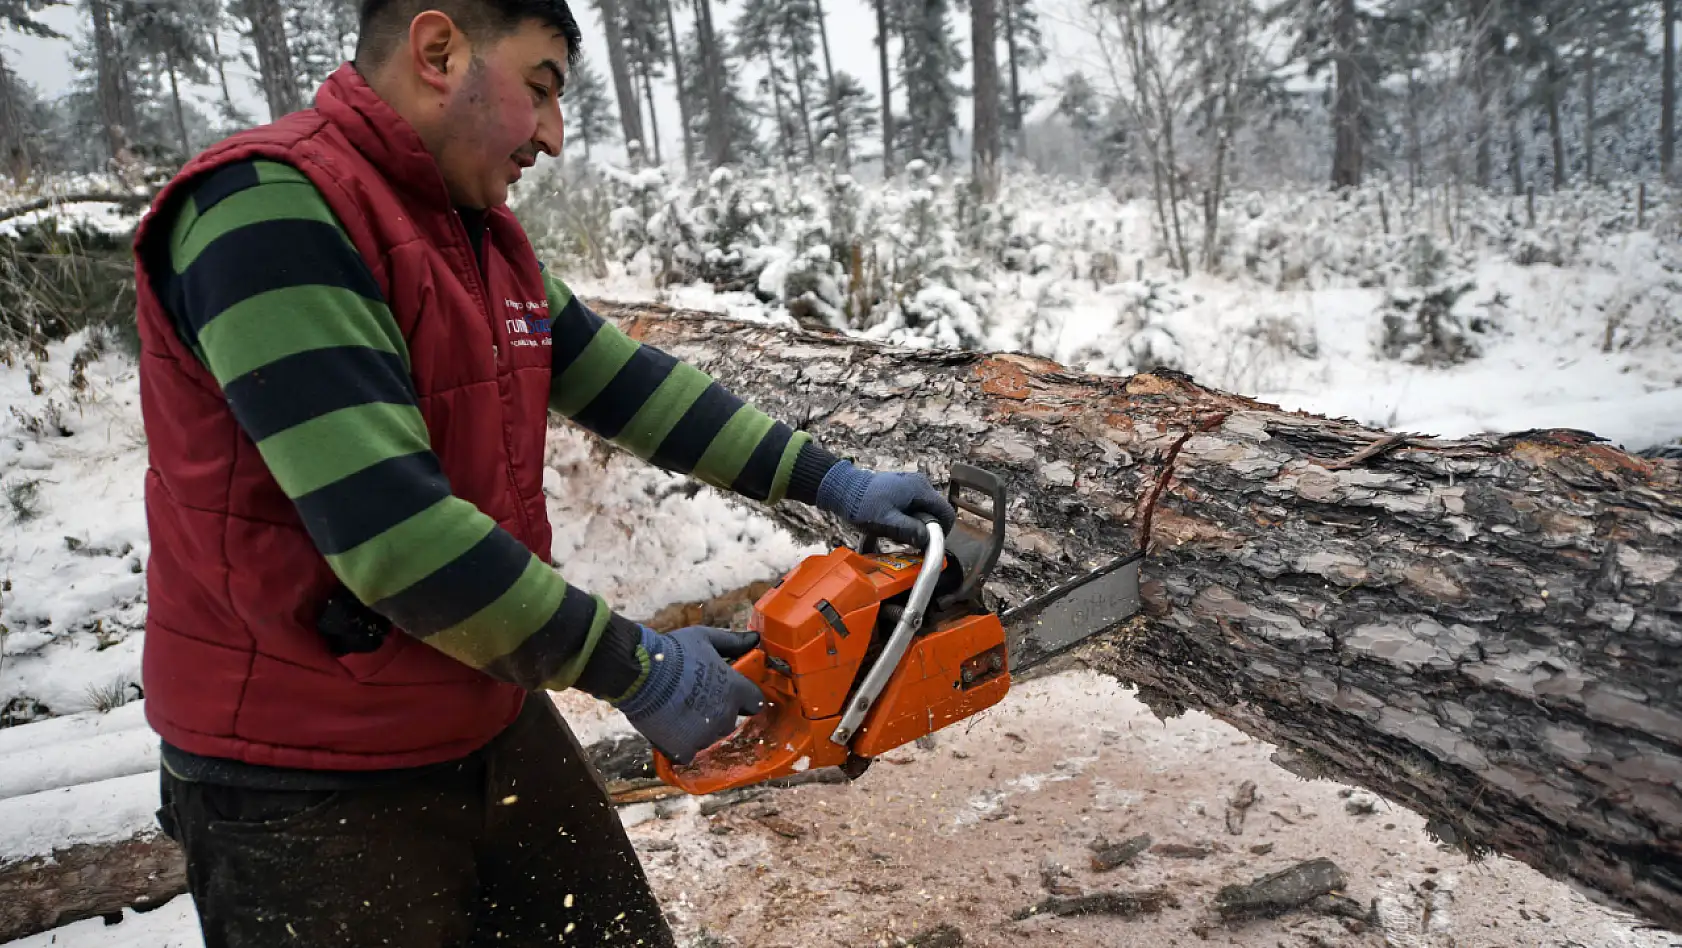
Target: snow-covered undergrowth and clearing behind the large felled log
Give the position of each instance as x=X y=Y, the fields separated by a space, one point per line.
x=1496 y=324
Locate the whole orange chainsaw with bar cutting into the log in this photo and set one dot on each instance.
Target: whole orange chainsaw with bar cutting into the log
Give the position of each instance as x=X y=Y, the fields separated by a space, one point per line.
x=864 y=651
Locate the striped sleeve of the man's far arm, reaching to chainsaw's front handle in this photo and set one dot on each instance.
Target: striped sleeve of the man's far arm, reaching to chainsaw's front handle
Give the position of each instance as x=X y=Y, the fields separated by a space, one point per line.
x=670 y=413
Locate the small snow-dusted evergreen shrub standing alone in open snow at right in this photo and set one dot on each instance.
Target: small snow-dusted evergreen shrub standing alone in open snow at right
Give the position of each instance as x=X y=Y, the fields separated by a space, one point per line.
x=1427 y=322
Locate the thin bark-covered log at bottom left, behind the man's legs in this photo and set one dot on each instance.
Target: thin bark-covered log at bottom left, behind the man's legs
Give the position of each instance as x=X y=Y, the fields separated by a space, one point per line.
x=88 y=882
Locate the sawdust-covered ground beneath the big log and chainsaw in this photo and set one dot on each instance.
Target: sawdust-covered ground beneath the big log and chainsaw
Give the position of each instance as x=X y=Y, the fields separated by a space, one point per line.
x=958 y=836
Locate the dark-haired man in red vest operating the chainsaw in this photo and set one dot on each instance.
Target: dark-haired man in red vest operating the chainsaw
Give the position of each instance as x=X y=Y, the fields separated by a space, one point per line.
x=349 y=357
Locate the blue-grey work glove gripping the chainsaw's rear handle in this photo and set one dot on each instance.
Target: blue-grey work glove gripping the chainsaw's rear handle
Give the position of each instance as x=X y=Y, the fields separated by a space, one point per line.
x=692 y=697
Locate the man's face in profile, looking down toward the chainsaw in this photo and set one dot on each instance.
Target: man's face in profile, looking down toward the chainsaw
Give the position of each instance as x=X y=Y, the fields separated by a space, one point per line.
x=502 y=112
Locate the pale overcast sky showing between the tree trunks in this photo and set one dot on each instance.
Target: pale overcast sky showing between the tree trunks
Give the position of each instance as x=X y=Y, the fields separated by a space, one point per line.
x=852 y=38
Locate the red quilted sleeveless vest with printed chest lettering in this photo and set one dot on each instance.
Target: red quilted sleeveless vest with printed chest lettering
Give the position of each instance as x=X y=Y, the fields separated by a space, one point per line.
x=235 y=665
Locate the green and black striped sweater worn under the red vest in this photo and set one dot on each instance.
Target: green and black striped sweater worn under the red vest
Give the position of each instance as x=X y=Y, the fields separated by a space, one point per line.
x=277 y=302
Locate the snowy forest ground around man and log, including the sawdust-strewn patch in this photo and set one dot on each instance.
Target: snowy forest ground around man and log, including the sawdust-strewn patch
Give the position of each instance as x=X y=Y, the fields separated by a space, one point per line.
x=1294 y=319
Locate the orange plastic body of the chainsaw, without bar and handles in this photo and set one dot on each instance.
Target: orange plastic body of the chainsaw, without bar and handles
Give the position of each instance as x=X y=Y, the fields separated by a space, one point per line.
x=818 y=629
